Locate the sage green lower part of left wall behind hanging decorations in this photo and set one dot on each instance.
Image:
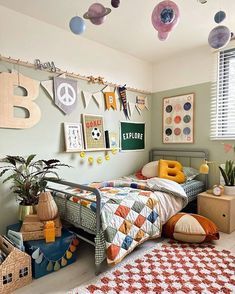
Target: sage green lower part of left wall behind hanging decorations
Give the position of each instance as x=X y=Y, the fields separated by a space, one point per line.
x=46 y=139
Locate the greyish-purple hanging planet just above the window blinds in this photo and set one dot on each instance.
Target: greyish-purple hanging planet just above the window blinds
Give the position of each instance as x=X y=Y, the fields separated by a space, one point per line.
x=219 y=37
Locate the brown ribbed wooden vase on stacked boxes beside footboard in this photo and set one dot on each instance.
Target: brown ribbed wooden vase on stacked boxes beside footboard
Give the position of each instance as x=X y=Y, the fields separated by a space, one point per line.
x=47 y=208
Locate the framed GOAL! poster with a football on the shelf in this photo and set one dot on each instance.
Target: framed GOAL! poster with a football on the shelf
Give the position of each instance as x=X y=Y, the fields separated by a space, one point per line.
x=93 y=126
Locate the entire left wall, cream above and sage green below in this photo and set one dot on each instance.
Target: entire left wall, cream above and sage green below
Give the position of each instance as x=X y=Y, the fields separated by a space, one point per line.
x=26 y=38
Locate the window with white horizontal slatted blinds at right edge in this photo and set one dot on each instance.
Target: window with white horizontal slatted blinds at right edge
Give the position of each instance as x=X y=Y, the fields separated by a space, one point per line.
x=223 y=98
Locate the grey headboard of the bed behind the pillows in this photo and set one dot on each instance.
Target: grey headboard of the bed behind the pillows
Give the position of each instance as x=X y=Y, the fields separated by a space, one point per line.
x=190 y=157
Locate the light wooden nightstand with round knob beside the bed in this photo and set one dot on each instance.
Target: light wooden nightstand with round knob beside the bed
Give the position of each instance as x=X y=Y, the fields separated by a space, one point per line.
x=219 y=209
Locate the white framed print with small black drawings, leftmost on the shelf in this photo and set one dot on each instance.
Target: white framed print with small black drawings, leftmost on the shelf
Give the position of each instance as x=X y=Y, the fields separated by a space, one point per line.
x=73 y=137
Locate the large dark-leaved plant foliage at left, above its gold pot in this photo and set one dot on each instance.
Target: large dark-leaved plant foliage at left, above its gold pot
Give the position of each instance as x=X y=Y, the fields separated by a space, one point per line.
x=29 y=177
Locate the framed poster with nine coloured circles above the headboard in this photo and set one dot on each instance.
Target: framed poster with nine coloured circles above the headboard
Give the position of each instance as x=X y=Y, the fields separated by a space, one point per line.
x=178 y=119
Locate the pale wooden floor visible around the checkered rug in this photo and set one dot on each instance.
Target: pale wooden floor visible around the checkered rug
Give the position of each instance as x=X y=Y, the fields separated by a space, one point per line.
x=83 y=269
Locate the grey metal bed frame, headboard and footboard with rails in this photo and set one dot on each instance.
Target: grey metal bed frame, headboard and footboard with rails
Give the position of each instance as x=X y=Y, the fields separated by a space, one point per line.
x=192 y=157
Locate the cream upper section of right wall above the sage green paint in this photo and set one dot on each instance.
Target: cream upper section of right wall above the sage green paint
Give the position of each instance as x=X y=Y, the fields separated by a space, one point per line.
x=184 y=69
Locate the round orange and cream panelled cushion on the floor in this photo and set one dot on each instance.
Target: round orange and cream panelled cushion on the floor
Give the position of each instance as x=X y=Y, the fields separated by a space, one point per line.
x=191 y=228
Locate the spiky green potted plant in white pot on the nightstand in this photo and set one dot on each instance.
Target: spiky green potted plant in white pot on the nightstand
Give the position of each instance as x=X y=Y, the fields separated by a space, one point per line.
x=228 y=174
